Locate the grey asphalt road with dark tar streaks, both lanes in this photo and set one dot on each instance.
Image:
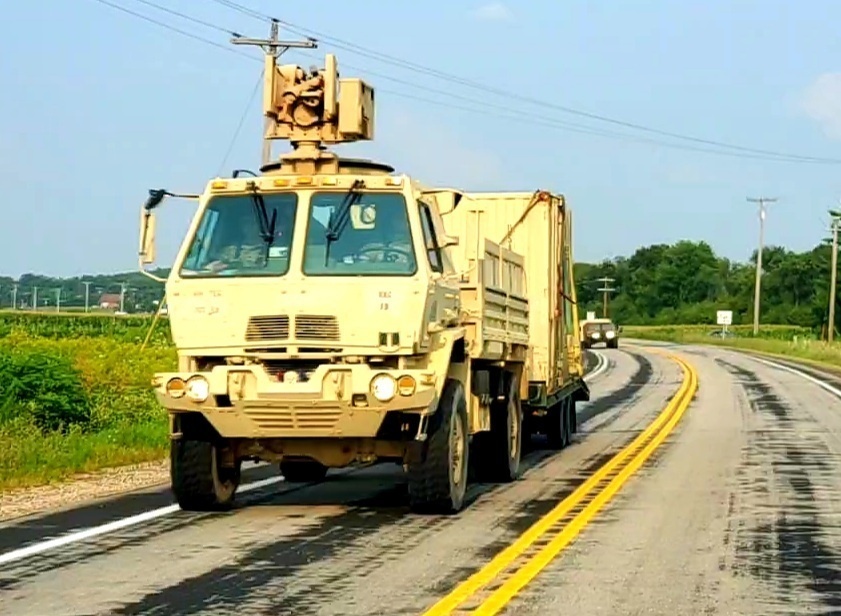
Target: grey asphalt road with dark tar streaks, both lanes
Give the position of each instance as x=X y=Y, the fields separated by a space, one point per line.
x=736 y=514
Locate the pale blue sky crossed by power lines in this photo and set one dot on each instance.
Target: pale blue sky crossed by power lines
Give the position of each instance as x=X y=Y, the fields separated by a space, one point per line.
x=97 y=106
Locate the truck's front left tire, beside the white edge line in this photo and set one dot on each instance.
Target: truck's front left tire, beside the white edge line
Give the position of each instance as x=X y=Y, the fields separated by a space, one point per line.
x=199 y=482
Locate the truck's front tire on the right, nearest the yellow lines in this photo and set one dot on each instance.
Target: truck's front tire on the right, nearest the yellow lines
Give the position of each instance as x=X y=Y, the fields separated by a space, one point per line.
x=438 y=480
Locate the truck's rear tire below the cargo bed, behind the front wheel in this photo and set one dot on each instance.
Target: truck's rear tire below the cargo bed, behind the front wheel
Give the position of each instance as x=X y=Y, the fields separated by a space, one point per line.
x=500 y=450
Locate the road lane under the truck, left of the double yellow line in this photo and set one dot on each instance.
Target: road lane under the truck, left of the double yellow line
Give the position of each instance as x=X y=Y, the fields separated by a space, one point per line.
x=348 y=546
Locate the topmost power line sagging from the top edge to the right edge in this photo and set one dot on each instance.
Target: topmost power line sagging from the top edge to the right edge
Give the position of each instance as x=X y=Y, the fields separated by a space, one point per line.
x=387 y=58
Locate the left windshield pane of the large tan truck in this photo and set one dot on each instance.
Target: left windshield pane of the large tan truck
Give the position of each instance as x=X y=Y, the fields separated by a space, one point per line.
x=229 y=239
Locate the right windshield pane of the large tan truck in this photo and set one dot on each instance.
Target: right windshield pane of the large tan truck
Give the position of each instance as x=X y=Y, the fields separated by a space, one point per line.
x=376 y=241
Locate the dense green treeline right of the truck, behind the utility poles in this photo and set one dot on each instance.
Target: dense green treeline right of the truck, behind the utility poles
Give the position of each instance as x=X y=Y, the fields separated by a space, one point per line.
x=686 y=283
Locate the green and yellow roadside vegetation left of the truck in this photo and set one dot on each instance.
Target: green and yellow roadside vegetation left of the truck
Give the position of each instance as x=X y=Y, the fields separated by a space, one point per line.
x=77 y=395
